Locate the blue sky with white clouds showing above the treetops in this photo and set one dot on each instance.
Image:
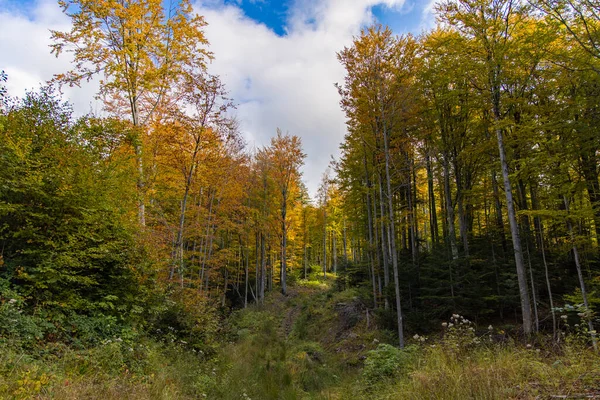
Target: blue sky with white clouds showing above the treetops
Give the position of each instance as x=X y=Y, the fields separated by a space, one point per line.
x=277 y=59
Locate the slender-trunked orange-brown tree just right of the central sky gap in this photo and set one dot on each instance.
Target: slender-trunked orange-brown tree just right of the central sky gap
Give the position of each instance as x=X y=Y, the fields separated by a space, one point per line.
x=377 y=95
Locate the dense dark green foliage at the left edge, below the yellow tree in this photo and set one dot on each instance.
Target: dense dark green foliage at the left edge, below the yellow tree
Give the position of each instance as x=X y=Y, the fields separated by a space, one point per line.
x=66 y=245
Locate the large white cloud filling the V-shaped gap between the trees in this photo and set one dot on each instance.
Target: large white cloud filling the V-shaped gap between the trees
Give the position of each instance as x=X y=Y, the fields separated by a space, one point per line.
x=288 y=81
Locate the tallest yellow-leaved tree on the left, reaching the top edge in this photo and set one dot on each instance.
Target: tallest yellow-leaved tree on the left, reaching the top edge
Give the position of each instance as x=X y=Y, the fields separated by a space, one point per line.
x=140 y=53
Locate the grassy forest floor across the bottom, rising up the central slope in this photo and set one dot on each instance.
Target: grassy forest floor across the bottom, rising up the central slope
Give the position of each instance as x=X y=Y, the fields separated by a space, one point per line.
x=318 y=342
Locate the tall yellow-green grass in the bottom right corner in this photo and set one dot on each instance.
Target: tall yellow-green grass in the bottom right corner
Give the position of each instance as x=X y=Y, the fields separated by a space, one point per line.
x=499 y=373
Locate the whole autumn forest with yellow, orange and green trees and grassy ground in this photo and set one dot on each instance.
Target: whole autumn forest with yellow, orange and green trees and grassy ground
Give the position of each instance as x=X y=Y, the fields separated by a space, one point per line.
x=452 y=250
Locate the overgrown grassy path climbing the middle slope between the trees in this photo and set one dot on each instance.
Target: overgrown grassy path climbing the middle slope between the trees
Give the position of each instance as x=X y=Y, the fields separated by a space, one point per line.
x=292 y=347
